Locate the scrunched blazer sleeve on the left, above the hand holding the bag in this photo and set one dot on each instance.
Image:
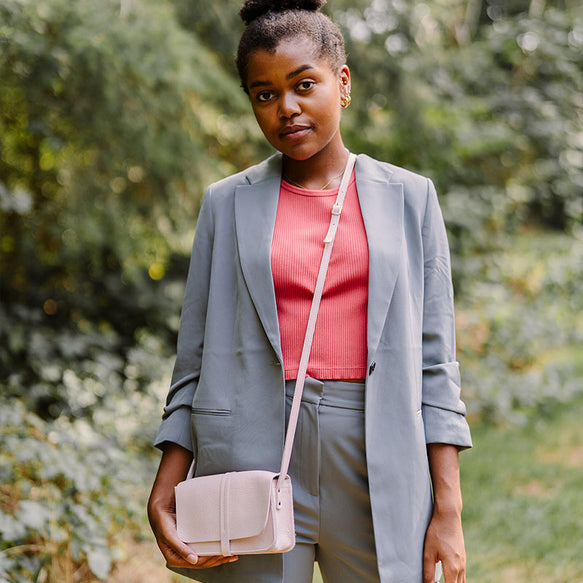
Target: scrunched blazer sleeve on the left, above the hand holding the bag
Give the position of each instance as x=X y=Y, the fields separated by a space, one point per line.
x=175 y=425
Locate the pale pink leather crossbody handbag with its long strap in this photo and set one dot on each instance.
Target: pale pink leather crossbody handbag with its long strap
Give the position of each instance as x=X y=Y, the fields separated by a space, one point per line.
x=251 y=512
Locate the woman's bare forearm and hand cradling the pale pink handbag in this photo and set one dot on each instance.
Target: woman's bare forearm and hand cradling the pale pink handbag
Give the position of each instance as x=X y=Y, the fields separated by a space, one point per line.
x=162 y=514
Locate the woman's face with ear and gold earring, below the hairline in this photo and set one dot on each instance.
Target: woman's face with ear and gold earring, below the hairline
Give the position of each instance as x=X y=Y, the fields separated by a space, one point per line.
x=296 y=98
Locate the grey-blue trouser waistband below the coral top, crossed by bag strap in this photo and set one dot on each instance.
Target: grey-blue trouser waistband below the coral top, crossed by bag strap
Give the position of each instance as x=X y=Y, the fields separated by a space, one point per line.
x=330 y=393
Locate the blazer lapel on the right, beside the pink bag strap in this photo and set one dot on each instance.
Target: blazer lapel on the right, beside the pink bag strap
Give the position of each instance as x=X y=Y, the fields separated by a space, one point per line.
x=382 y=206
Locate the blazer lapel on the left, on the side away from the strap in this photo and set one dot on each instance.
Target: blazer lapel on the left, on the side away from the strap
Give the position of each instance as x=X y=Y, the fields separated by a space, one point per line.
x=255 y=211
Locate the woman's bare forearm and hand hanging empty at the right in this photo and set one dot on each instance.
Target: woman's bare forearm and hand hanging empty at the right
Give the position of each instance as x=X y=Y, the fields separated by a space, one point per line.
x=444 y=540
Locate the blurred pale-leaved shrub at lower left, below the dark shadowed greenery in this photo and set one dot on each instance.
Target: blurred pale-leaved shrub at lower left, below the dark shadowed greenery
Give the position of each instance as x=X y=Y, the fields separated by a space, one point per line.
x=70 y=470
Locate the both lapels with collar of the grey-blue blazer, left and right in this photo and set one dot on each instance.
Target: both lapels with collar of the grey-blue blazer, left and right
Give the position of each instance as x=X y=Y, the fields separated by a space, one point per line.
x=381 y=203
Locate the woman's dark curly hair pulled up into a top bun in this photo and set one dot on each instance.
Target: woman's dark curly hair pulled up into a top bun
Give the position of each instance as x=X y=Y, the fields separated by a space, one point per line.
x=271 y=21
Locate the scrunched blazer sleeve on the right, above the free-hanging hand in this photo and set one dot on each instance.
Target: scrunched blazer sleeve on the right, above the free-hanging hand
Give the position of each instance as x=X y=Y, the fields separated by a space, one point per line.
x=443 y=410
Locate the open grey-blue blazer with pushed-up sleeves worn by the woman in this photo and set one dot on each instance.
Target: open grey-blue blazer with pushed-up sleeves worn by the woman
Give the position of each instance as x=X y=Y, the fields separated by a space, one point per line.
x=226 y=402
